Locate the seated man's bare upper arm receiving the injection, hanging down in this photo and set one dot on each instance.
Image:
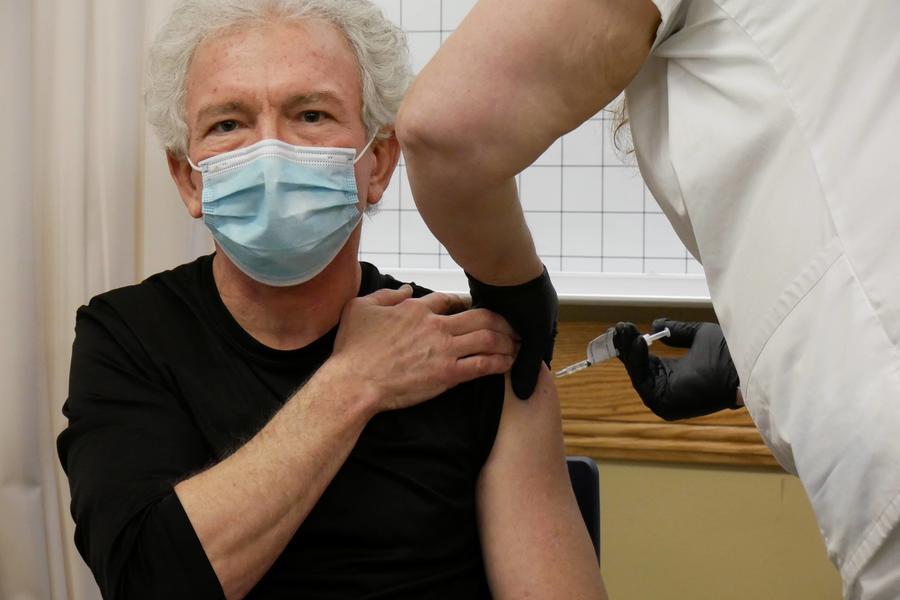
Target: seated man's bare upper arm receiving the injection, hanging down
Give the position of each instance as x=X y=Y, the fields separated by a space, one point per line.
x=535 y=543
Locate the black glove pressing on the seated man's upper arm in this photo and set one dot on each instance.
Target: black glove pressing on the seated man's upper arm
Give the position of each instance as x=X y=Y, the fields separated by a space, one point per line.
x=532 y=308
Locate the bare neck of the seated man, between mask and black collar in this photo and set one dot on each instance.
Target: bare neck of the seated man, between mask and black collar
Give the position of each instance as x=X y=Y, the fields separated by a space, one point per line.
x=290 y=317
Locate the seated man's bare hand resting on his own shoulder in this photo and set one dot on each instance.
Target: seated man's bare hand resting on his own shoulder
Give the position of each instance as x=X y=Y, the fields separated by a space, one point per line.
x=412 y=349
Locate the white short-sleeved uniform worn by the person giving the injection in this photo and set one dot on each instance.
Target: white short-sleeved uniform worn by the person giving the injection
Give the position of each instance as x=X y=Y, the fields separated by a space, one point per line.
x=769 y=132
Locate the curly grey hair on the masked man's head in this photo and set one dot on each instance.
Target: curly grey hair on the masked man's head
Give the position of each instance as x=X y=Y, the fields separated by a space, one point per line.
x=380 y=49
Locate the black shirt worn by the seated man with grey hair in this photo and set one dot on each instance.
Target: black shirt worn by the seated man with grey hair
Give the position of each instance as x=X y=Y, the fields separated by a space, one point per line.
x=164 y=383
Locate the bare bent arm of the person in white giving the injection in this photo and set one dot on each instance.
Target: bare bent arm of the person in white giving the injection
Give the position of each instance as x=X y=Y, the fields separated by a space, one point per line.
x=513 y=78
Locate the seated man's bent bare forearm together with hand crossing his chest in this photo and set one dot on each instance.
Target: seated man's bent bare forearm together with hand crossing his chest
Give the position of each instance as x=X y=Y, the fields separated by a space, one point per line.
x=246 y=508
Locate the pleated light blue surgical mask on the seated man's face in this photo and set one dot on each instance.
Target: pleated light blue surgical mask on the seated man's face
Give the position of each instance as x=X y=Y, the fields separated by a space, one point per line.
x=281 y=213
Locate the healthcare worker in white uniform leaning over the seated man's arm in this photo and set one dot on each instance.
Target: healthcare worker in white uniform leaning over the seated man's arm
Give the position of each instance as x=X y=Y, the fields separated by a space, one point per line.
x=768 y=131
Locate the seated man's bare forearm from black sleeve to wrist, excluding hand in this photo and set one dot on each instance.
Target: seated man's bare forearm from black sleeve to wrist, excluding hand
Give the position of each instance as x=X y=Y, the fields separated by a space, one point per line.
x=246 y=508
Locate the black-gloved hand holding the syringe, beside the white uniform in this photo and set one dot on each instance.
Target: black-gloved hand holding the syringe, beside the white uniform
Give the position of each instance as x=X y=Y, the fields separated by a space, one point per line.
x=703 y=381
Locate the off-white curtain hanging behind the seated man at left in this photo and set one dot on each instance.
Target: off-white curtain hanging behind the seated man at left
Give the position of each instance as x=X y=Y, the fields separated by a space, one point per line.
x=88 y=206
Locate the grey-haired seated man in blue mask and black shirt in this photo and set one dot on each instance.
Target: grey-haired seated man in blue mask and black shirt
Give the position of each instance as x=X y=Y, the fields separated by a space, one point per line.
x=279 y=420
